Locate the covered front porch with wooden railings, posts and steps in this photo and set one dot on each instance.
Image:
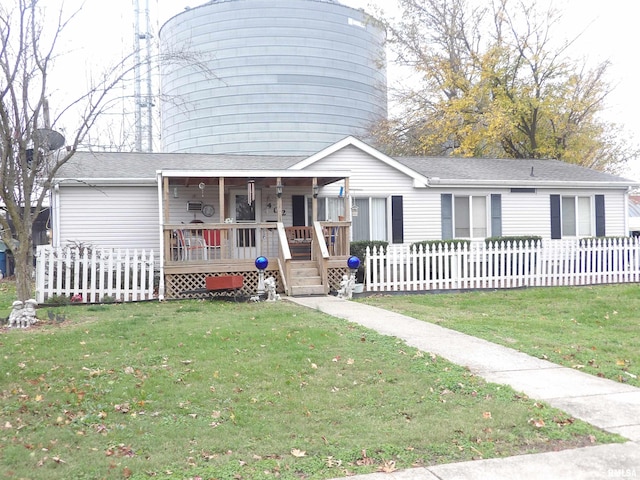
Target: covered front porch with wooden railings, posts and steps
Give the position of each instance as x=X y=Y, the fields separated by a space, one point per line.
x=217 y=223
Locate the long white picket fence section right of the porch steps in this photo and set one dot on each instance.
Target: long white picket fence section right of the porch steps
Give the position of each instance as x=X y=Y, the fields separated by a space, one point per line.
x=479 y=265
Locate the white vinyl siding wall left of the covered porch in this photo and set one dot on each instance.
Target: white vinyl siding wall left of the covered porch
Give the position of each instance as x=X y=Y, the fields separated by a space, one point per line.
x=113 y=217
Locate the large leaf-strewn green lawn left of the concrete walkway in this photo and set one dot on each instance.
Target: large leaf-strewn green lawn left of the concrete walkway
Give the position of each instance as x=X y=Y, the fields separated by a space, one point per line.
x=246 y=391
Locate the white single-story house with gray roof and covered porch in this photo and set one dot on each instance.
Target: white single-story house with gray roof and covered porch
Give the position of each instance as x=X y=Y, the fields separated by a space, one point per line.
x=214 y=214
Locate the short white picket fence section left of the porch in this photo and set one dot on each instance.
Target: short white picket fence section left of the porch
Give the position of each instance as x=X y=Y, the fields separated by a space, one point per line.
x=90 y=274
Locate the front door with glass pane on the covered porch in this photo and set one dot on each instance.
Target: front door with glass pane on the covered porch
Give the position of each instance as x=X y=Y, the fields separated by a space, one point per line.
x=246 y=240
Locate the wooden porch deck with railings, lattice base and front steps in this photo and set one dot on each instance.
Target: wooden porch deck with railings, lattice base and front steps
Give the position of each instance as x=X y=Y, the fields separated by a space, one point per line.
x=194 y=251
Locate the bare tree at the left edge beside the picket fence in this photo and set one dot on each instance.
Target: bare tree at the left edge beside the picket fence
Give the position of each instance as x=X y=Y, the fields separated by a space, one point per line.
x=30 y=153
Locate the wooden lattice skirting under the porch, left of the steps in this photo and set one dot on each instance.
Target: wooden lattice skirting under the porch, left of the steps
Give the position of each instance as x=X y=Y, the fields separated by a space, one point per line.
x=176 y=284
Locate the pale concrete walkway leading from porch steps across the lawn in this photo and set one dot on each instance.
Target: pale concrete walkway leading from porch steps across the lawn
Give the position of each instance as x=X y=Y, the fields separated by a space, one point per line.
x=612 y=406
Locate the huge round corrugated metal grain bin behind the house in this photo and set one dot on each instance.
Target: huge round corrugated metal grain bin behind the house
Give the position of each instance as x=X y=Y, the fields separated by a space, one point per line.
x=282 y=77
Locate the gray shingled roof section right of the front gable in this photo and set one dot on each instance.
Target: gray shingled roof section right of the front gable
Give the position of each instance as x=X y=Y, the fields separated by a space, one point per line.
x=505 y=170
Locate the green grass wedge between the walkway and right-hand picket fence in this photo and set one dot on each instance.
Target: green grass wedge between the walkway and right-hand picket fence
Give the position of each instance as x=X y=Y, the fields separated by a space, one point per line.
x=594 y=329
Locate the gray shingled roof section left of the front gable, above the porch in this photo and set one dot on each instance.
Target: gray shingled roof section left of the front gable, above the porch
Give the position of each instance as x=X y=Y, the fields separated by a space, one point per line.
x=116 y=165
